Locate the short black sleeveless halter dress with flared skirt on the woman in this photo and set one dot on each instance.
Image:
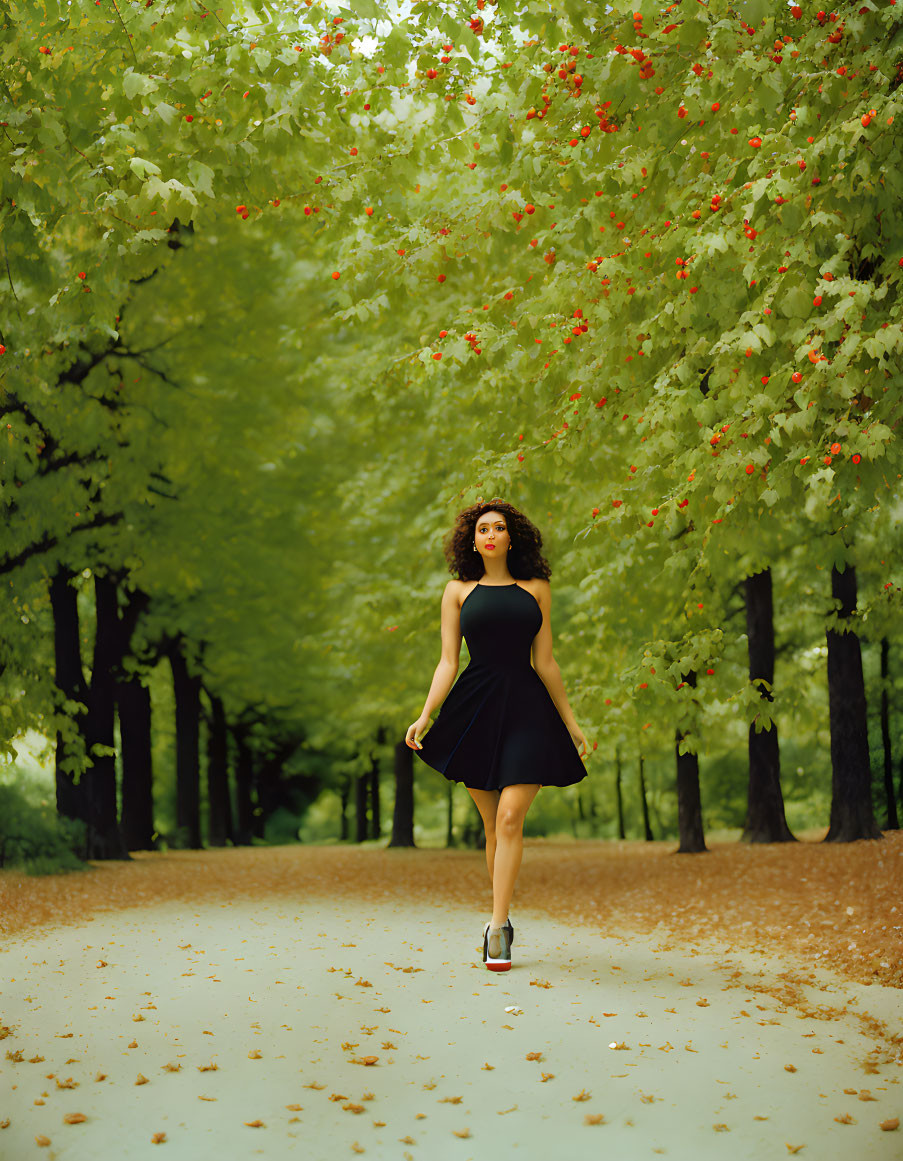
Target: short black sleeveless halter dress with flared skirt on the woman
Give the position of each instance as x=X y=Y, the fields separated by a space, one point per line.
x=499 y=725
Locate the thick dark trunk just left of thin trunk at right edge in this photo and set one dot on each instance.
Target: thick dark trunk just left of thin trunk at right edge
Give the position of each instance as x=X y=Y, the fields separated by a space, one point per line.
x=853 y=816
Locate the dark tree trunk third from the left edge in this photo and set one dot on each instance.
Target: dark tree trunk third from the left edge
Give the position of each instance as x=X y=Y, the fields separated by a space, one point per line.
x=136 y=819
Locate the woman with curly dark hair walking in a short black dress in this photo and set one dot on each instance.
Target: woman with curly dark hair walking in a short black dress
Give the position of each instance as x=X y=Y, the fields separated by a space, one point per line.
x=505 y=729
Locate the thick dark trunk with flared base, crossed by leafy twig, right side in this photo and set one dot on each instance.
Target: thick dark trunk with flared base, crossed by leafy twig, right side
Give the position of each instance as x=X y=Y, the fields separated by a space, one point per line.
x=765 y=819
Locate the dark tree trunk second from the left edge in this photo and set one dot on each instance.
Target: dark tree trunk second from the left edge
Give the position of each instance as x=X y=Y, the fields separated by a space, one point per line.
x=104 y=839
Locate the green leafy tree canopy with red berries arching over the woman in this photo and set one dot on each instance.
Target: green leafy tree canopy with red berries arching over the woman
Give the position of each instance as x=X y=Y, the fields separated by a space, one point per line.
x=274 y=453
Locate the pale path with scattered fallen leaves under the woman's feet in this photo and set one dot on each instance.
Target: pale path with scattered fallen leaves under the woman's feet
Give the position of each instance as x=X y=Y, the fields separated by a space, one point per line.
x=338 y=1022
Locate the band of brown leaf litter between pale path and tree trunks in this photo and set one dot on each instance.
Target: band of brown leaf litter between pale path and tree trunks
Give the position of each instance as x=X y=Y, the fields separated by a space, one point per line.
x=834 y=905
